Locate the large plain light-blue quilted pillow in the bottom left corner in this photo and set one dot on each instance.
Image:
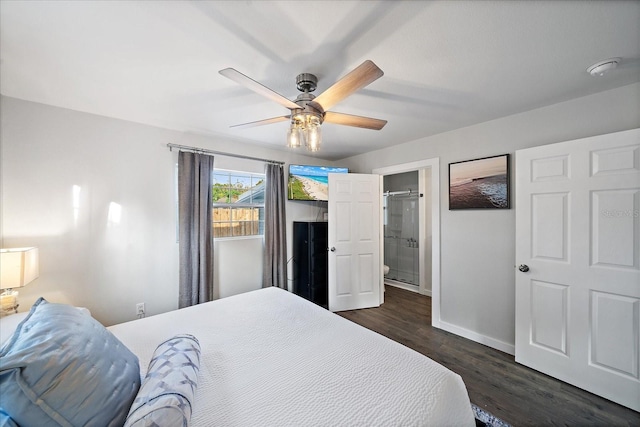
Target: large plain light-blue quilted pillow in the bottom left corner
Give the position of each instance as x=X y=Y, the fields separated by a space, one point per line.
x=62 y=367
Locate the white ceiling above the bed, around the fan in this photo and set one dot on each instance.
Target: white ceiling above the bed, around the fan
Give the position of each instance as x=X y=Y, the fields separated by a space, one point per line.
x=447 y=64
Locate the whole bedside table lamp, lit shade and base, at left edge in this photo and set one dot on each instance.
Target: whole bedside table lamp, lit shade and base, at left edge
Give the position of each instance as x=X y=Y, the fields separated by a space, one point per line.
x=18 y=266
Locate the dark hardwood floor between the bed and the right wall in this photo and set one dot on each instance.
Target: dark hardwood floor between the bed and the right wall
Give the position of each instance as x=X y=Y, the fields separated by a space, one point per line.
x=496 y=383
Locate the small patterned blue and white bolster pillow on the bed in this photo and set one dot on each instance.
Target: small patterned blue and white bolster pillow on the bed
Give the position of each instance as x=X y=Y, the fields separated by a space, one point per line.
x=167 y=391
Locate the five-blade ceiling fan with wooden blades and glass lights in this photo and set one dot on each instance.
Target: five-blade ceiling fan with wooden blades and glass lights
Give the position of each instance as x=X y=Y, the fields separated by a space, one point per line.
x=308 y=112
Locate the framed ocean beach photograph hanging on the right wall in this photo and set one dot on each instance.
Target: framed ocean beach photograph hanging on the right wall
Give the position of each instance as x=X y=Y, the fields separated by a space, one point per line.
x=479 y=183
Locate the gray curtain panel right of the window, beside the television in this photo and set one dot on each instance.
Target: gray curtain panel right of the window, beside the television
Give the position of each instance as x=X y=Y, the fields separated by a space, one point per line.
x=275 y=236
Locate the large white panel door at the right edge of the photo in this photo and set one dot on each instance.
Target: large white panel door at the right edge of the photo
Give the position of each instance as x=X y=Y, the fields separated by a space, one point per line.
x=578 y=256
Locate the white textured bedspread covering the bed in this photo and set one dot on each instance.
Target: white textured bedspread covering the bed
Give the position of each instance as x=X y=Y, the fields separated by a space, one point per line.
x=271 y=358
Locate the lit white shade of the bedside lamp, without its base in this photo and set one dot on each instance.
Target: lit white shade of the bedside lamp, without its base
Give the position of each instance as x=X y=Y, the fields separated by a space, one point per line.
x=18 y=267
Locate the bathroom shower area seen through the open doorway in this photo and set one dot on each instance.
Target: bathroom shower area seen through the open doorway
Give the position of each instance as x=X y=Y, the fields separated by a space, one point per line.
x=406 y=221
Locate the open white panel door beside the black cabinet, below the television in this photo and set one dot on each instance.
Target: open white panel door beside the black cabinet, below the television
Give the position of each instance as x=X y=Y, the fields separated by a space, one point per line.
x=355 y=276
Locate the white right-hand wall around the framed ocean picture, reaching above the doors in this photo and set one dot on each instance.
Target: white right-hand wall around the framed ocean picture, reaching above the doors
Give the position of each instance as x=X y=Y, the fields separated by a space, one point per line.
x=478 y=247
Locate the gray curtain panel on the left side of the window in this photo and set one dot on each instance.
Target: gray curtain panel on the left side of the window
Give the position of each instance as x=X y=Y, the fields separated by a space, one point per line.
x=195 y=230
